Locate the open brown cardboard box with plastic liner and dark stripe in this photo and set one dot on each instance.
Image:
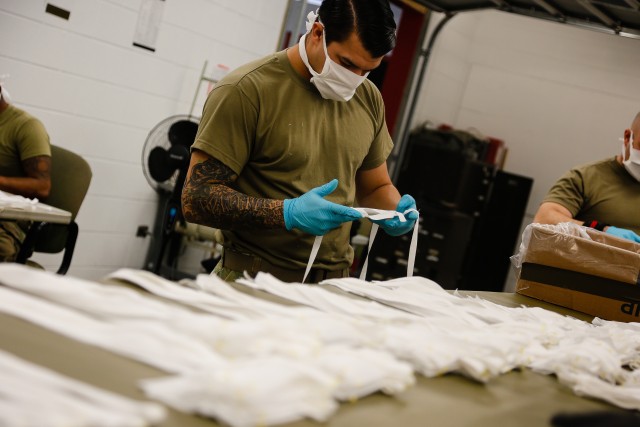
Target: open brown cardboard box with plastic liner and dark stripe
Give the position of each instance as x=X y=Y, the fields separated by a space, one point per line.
x=596 y=273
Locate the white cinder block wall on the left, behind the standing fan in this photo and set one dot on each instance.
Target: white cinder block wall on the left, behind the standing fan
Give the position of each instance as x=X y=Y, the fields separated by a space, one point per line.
x=100 y=96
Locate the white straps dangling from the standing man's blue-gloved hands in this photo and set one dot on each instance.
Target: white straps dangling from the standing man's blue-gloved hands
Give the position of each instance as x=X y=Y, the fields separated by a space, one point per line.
x=373 y=214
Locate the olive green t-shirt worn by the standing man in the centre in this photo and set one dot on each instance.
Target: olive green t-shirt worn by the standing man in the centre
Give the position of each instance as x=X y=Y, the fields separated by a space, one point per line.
x=271 y=126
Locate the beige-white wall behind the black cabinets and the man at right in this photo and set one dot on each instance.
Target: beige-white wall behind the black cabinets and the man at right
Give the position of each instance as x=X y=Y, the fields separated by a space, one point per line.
x=558 y=95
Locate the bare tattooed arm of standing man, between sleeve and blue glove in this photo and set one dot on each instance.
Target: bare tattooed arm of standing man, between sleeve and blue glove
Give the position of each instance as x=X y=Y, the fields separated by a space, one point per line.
x=207 y=198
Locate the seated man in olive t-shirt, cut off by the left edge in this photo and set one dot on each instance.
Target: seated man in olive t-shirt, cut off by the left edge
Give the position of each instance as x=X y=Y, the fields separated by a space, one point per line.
x=25 y=165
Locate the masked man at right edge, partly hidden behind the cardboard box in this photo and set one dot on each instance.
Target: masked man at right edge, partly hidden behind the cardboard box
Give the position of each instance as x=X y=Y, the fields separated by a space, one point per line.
x=604 y=195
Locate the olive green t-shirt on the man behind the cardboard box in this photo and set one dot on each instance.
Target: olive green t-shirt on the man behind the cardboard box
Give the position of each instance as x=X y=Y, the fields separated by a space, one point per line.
x=603 y=191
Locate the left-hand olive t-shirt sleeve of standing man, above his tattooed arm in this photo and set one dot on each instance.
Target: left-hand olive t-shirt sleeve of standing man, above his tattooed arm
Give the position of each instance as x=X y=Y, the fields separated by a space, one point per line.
x=227 y=128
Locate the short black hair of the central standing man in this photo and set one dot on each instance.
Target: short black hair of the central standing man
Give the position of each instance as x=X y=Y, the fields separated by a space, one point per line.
x=372 y=21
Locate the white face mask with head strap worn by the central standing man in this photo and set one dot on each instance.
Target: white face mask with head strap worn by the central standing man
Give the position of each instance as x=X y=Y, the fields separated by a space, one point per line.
x=334 y=82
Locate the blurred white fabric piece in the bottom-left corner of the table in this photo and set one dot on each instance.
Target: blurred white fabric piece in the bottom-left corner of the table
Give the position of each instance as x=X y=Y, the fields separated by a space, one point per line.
x=34 y=396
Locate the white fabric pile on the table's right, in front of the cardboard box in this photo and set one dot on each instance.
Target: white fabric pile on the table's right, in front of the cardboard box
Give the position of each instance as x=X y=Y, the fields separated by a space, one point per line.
x=481 y=339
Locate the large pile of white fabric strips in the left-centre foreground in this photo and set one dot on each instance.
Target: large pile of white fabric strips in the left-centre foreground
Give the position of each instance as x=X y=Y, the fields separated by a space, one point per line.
x=226 y=365
